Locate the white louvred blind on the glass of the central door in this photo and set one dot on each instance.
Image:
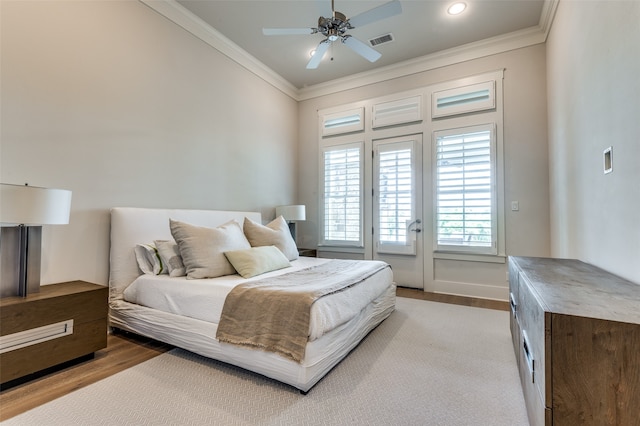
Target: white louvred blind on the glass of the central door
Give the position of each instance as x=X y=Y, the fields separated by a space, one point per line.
x=395 y=189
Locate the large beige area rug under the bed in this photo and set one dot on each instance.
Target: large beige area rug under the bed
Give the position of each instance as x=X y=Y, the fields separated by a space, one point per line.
x=427 y=364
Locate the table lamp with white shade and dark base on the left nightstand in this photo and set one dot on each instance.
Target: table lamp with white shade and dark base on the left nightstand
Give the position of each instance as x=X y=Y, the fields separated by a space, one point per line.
x=23 y=211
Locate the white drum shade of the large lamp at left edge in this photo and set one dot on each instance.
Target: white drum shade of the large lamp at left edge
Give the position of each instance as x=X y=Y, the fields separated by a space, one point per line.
x=31 y=205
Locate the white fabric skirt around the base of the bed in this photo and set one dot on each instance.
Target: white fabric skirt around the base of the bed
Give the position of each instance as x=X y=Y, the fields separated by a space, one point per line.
x=199 y=337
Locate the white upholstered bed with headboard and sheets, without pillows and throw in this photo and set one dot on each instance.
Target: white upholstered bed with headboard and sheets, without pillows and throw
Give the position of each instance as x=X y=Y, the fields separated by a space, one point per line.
x=170 y=319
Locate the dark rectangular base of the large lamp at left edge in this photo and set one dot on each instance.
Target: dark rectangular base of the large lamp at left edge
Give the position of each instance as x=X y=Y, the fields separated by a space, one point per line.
x=20 y=256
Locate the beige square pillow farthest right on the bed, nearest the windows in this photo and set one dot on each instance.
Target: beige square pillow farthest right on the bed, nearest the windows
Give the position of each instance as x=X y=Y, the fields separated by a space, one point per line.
x=276 y=233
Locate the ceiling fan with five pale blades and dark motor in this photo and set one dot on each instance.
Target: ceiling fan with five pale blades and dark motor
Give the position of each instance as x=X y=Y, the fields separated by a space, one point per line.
x=335 y=28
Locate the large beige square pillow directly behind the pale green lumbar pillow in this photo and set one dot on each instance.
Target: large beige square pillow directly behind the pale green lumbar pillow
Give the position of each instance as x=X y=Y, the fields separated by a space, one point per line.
x=202 y=249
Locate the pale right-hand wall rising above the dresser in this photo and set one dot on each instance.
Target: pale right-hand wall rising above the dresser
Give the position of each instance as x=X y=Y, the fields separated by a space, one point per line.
x=593 y=57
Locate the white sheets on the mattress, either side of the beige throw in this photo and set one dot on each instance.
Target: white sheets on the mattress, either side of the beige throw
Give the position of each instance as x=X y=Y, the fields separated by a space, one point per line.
x=203 y=299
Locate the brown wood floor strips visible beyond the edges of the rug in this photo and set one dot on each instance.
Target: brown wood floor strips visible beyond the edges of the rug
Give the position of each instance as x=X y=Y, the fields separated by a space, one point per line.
x=125 y=350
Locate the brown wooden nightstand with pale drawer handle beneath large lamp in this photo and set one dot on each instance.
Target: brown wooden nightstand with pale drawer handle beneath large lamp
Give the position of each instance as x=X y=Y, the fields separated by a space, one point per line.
x=60 y=323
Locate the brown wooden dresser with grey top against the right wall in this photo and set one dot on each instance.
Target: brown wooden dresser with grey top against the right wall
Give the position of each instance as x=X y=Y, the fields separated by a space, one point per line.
x=576 y=336
